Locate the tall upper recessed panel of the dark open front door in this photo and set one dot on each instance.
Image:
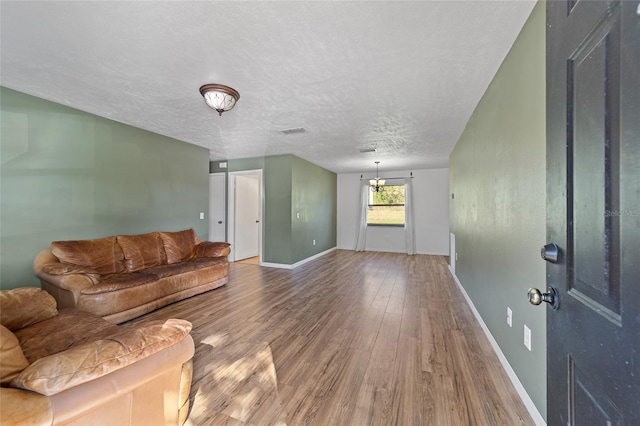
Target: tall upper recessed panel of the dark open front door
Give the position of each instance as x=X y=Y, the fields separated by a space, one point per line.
x=593 y=163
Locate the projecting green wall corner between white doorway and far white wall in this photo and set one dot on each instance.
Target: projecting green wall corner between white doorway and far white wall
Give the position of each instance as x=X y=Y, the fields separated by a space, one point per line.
x=293 y=185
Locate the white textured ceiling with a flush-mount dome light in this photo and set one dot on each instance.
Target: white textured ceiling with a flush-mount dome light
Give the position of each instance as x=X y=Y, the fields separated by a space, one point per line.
x=403 y=77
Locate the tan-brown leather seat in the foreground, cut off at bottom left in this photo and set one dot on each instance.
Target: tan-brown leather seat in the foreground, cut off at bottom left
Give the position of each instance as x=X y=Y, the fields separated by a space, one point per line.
x=74 y=368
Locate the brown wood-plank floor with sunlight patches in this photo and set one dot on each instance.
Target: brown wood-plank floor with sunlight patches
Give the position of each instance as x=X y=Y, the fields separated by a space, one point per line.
x=350 y=338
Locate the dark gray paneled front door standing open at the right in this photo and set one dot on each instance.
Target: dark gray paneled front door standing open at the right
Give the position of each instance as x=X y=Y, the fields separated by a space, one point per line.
x=593 y=212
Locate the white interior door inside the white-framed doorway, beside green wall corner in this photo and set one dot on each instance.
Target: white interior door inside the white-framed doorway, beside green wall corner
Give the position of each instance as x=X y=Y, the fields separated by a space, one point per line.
x=247 y=217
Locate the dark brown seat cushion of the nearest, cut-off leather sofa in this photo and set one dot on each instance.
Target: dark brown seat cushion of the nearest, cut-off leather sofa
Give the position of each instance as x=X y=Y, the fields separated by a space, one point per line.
x=70 y=327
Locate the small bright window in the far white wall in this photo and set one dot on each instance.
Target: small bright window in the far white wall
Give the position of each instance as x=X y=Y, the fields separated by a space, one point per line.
x=386 y=207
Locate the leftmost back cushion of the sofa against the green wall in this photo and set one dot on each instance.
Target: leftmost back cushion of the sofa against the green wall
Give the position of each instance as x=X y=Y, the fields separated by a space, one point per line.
x=102 y=254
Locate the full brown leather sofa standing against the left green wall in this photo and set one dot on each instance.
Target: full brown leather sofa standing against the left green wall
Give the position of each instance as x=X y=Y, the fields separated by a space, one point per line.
x=125 y=276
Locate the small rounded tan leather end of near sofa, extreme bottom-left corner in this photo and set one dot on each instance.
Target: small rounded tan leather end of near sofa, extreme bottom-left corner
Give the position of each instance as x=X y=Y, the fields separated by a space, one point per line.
x=21 y=407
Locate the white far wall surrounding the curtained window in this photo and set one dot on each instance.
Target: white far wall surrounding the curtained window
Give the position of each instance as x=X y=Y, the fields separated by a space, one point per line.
x=431 y=209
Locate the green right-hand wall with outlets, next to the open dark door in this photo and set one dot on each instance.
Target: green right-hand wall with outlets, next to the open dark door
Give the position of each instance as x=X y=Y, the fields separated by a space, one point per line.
x=497 y=173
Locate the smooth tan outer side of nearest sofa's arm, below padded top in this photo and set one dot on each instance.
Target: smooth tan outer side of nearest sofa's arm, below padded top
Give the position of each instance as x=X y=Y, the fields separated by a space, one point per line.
x=145 y=392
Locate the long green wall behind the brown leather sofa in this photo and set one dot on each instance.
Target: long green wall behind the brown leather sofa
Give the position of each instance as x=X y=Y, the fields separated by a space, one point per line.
x=68 y=174
